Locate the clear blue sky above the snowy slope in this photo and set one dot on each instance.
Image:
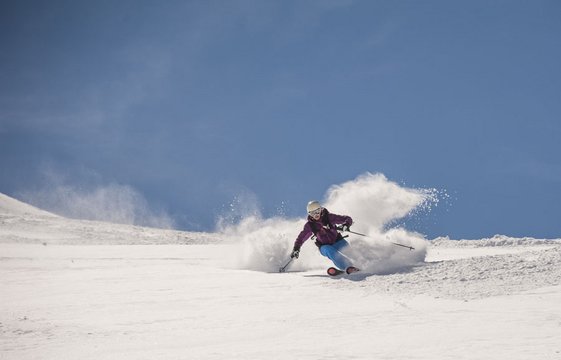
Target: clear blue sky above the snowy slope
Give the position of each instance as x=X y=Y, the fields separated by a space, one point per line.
x=194 y=104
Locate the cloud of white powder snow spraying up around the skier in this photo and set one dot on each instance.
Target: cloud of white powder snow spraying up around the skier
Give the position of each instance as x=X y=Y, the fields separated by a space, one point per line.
x=371 y=200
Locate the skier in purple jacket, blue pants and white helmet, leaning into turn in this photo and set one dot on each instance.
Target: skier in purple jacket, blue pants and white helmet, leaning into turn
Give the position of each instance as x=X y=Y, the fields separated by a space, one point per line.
x=330 y=242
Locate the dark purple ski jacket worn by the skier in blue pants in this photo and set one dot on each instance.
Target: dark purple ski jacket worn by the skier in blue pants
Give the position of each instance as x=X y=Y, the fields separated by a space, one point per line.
x=324 y=229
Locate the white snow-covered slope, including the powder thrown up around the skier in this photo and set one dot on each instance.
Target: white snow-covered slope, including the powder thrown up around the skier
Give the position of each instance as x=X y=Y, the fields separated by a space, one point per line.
x=74 y=289
